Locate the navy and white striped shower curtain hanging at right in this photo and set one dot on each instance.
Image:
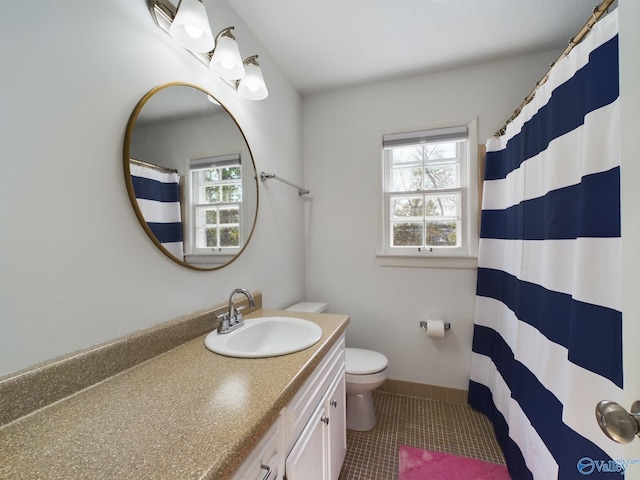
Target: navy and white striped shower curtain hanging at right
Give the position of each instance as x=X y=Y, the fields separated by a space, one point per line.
x=547 y=343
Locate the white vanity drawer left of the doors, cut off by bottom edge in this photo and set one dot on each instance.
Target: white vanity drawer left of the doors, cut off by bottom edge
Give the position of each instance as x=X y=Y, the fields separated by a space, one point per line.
x=267 y=453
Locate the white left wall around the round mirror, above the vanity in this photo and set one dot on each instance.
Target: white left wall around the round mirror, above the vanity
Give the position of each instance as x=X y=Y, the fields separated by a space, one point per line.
x=77 y=269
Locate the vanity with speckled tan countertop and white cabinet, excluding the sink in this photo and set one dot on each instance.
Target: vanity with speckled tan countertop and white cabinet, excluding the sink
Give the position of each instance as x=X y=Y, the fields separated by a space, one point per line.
x=191 y=414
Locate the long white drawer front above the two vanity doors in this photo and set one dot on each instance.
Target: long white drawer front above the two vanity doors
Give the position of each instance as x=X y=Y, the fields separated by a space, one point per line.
x=304 y=403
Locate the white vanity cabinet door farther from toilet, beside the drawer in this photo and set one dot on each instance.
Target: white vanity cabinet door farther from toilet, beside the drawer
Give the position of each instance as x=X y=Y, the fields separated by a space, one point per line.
x=307 y=460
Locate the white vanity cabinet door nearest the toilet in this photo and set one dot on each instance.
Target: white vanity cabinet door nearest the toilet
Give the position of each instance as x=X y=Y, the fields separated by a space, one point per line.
x=337 y=438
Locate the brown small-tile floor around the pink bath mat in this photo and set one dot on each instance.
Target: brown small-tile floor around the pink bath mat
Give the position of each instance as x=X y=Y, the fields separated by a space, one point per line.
x=416 y=422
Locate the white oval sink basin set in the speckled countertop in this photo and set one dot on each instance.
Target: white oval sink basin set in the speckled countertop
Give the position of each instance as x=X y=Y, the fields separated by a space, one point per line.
x=265 y=337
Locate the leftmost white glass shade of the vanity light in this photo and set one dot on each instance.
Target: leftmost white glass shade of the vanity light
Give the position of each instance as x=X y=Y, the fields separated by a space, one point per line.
x=190 y=27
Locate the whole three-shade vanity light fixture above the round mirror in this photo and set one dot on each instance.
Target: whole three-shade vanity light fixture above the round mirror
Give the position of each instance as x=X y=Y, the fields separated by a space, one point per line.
x=195 y=35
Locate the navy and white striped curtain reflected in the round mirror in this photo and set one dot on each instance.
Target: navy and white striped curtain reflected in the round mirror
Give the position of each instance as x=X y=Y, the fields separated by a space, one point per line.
x=158 y=197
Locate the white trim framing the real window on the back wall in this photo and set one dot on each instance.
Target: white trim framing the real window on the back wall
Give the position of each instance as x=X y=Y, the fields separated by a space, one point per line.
x=467 y=260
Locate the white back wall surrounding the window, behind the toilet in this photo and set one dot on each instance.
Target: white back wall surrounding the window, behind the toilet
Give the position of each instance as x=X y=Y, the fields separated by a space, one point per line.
x=342 y=161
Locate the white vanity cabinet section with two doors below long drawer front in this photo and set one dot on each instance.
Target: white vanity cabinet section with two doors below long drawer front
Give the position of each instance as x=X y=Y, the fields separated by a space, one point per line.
x=316 y=418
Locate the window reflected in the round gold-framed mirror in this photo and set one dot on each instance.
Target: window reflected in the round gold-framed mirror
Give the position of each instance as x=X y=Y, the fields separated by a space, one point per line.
x=216 y=205
